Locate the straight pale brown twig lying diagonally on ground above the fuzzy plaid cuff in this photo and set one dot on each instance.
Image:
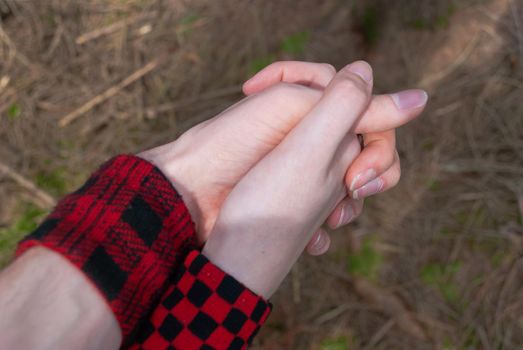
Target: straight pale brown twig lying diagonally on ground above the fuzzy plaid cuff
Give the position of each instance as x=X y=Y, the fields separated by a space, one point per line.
x=113 y=90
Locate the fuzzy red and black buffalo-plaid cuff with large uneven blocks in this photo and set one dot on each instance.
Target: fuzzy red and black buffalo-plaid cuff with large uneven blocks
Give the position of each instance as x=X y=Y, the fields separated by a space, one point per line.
x=126 y=229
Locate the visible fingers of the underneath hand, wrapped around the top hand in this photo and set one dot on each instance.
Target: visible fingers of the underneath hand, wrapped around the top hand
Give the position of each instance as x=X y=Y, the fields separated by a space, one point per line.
x=377 y=168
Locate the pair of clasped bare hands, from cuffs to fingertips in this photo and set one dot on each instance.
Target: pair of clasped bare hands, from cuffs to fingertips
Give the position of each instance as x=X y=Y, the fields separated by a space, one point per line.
x=262 y=177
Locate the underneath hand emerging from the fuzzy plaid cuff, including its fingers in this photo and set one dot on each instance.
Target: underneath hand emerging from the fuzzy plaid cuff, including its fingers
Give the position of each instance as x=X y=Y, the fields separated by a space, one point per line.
x=232 y=142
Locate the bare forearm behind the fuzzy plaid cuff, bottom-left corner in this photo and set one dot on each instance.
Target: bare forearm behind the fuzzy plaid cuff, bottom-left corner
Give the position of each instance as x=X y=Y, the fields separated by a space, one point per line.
x=47 y=303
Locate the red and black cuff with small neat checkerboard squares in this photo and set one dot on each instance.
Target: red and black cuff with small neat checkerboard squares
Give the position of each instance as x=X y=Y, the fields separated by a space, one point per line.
x=203 y=308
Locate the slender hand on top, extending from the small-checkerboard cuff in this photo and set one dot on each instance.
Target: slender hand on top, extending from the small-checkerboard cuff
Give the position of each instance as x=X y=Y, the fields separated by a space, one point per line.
x=264 y=224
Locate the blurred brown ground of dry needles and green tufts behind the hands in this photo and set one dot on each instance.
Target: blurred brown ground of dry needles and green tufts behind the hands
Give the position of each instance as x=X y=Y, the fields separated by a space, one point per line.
x=434 y=264
